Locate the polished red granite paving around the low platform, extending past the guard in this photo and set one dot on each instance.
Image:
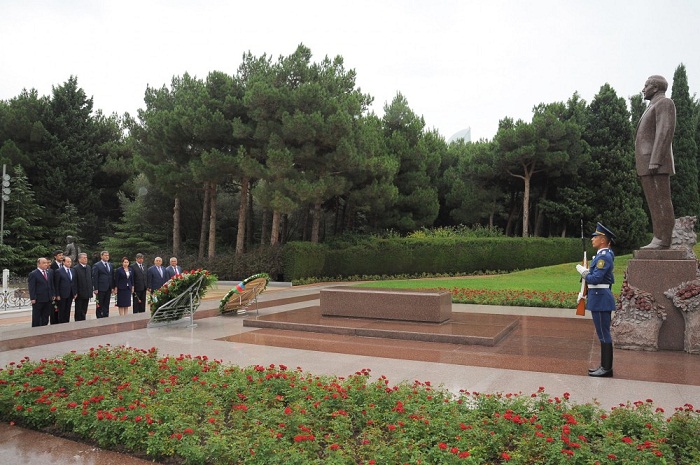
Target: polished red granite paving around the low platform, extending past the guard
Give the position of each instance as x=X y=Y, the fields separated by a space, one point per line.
x=541 y=344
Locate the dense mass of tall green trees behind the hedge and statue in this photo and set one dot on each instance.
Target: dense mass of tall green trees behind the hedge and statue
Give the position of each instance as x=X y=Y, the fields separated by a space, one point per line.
x=286 y=150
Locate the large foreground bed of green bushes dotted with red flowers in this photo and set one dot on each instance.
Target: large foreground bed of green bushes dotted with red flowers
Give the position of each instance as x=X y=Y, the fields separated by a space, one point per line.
x=192 y=410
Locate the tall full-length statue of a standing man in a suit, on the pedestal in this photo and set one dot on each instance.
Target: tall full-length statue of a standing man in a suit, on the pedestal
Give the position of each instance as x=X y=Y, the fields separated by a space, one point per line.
x=654 y=159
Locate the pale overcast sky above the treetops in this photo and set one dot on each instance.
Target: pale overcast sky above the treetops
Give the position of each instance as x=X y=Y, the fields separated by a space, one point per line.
x=459 y=63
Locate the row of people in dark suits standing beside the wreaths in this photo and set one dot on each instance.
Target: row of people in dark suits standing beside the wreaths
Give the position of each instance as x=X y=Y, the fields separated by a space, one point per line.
x=55 y=285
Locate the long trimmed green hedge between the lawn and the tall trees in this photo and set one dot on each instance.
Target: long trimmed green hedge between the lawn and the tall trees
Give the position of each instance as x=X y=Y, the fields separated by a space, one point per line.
x=398 y=256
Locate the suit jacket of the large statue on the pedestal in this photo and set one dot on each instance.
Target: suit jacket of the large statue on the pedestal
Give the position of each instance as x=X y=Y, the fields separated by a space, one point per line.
x=655 y=135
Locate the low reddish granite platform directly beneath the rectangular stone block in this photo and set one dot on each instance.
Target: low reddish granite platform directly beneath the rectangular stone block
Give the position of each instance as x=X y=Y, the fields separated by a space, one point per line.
x=462 y=328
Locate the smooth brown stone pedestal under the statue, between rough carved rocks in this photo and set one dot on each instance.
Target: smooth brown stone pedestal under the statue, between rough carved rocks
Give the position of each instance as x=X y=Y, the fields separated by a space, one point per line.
x=656 y=271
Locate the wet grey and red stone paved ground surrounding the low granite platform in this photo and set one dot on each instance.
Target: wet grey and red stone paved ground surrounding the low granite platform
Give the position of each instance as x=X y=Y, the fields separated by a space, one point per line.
x=551 y=348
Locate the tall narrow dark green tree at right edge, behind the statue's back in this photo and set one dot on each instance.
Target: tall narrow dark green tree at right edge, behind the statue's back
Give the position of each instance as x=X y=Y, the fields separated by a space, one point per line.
x=684 y=185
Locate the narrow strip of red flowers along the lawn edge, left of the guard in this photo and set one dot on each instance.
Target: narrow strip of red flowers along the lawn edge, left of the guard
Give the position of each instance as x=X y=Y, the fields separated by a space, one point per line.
x=519 y=298
